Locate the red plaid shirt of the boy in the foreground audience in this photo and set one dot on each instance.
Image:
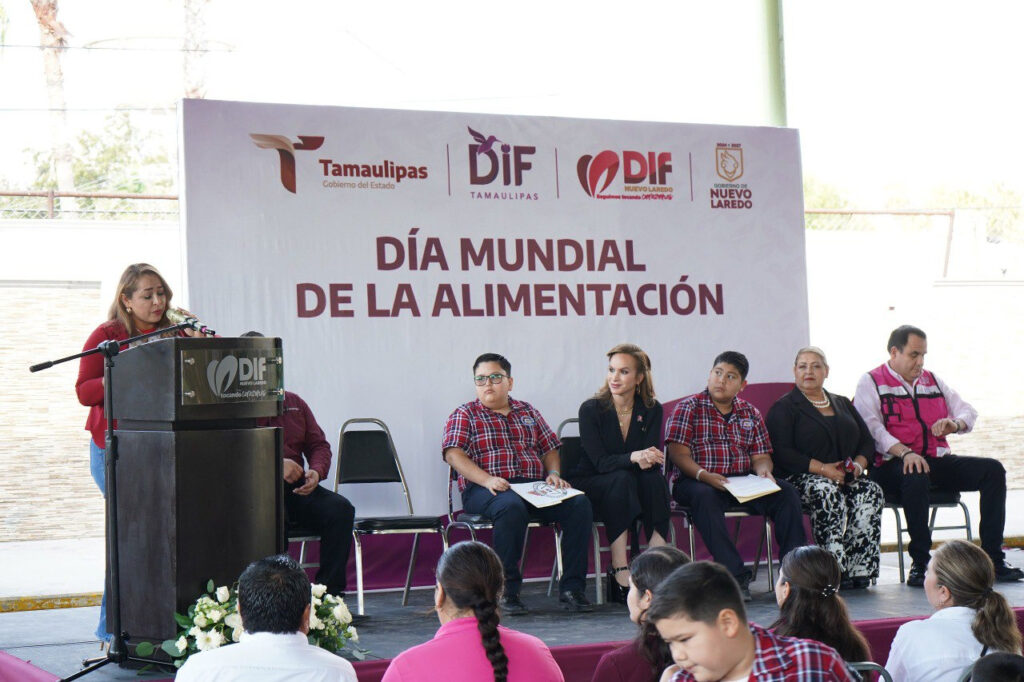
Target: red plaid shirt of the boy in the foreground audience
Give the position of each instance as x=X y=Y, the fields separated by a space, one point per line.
x=790 y=660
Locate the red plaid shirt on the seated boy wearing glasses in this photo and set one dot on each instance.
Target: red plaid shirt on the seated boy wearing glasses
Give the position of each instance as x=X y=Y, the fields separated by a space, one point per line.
x=510 y=447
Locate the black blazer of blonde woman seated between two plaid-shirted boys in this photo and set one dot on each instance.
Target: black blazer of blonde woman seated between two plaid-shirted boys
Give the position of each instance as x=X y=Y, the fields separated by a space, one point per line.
x=604 y=447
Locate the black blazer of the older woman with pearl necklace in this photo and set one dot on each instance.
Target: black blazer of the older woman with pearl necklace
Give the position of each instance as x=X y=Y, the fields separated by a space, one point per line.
x=799 y=433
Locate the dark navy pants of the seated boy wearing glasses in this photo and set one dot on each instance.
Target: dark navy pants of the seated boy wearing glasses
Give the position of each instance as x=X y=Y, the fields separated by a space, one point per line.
x=511 y=514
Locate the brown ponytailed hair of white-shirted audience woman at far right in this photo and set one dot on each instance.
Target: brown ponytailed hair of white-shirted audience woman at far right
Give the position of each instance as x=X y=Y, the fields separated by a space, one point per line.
x=967 y=572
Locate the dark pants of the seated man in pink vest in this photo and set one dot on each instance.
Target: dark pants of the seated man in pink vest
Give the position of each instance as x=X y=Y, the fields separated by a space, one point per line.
x=950 y=474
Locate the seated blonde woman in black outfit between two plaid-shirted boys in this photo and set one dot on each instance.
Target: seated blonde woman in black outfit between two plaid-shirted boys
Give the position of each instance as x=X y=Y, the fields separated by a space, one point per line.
x=621 y=430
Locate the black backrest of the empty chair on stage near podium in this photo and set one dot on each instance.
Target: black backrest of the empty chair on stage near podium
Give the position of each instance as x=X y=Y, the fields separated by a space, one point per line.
x=369 y=456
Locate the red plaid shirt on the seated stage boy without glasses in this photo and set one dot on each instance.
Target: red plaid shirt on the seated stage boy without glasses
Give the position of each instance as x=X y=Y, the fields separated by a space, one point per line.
x=720 y=447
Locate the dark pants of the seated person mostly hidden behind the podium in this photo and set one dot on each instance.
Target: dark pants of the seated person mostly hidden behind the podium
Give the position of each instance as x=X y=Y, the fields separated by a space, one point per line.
x=331 y=517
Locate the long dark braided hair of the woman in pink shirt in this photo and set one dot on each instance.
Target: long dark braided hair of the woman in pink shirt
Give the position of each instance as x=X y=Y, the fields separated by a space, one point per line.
x=474 y=579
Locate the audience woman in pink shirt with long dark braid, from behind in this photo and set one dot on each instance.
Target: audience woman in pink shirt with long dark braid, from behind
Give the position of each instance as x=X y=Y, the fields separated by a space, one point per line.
x=471 y=645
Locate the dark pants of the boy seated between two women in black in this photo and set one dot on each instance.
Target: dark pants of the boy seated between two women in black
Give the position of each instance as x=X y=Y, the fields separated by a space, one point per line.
x=708 y=507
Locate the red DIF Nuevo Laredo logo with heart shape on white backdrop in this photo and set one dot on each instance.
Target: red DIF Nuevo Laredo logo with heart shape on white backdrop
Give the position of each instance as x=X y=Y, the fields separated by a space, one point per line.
x=646 y=175
